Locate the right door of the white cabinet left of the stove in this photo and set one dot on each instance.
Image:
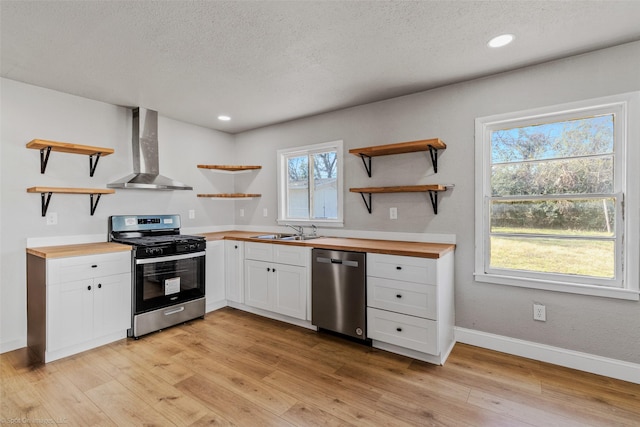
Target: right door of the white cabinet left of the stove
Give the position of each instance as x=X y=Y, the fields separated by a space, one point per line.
x=112 y=304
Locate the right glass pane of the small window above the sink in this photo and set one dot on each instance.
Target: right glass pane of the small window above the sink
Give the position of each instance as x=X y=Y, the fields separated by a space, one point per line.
x=325 y=186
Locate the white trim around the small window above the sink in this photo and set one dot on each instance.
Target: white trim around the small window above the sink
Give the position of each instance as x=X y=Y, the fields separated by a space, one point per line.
x=282 y=182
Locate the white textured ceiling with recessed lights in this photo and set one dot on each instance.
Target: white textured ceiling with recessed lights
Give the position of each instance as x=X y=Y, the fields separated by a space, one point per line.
x=268 y=62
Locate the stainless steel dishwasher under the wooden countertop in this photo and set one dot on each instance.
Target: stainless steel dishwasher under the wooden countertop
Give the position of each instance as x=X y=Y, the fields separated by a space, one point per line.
x=338 y=292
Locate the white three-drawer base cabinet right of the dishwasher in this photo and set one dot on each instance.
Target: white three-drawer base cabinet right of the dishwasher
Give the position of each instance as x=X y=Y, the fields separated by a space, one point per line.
x=410 y=305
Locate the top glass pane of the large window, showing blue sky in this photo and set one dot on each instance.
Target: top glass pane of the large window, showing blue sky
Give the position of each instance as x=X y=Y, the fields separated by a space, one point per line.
x=582 y=137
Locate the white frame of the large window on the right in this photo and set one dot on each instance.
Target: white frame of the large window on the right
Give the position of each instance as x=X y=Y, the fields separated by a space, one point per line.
x=626 y=155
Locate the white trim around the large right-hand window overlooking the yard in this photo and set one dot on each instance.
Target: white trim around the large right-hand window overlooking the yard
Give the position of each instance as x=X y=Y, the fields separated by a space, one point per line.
x=628 y=106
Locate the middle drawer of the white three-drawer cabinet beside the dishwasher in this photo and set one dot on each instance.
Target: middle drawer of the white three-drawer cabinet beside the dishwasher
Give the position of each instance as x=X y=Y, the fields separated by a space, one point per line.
x=402 y=297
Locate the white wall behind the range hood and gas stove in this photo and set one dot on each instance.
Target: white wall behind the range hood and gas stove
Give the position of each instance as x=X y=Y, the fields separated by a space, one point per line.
x=30 y=112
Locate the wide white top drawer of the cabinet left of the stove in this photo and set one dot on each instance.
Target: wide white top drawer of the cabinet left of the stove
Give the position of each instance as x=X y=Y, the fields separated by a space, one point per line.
x=60 y=270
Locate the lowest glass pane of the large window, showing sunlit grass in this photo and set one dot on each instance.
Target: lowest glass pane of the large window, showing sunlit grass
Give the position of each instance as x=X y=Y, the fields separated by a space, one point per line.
x=595 y=258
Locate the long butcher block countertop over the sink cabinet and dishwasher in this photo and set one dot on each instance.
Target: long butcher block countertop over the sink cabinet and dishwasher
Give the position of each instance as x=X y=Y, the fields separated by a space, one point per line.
x=390 y=247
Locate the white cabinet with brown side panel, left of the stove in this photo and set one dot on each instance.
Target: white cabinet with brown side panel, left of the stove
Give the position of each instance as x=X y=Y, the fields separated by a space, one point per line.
x=77 y=303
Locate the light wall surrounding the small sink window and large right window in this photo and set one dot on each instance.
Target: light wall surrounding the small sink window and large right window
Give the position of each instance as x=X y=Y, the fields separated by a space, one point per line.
x=599 y=326
